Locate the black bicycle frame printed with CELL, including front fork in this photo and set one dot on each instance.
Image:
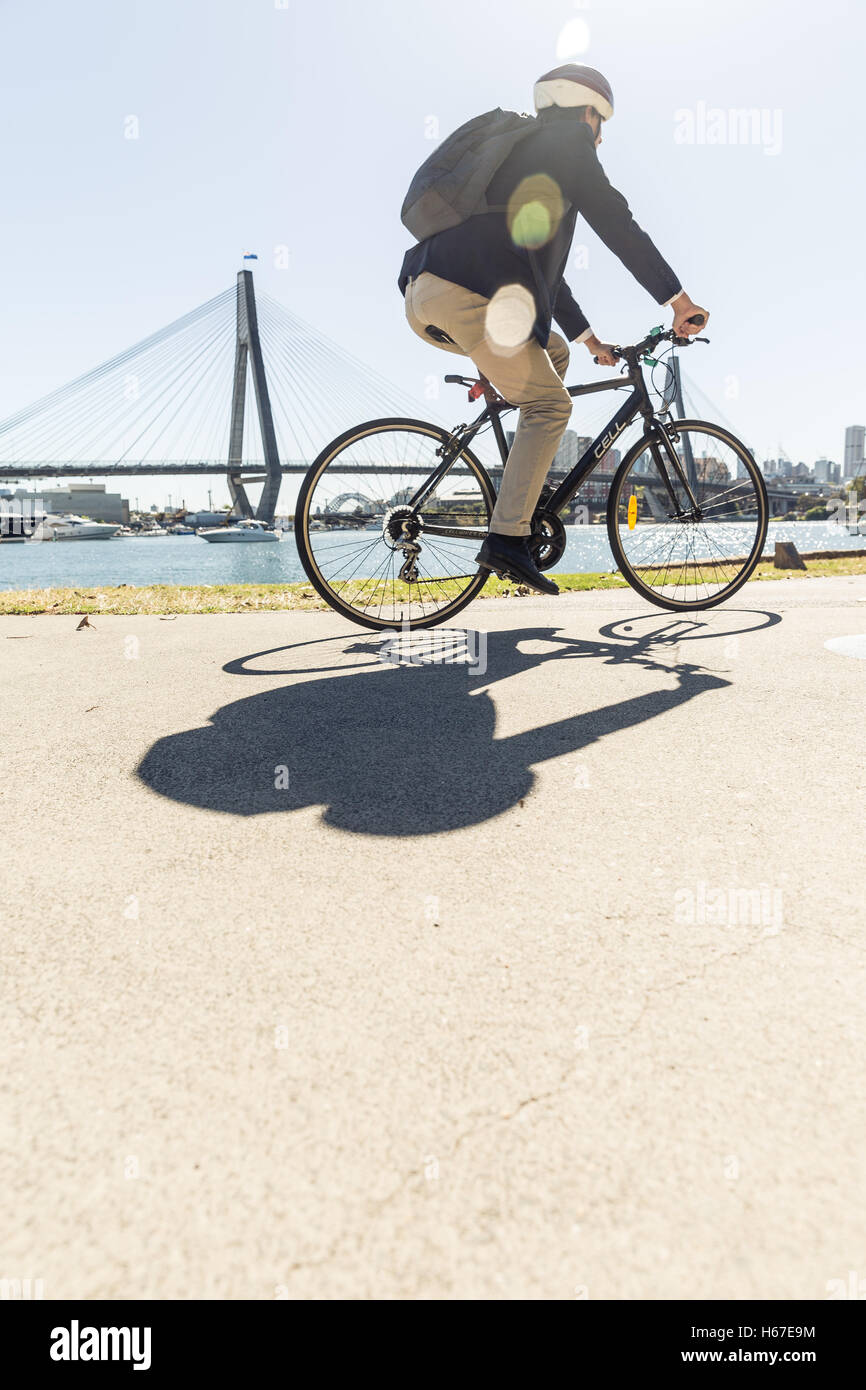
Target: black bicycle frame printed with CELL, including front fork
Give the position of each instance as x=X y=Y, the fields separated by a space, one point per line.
x=639 y=404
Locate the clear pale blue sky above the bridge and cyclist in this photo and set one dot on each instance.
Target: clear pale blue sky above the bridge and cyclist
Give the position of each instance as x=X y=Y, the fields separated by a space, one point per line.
x=270 y=124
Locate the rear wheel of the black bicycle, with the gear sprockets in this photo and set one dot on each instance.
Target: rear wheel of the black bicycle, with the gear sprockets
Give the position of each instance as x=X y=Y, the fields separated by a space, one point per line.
x=370 y=553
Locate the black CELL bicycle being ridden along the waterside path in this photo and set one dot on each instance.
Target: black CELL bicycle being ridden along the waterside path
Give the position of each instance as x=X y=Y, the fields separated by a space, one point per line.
x=686 y=523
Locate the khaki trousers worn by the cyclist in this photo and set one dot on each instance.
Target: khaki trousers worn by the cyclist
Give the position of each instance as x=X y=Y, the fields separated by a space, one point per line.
x=525 y=375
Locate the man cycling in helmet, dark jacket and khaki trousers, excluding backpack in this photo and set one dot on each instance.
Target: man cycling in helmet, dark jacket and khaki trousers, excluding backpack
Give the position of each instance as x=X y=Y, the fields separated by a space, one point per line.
x=490 y=287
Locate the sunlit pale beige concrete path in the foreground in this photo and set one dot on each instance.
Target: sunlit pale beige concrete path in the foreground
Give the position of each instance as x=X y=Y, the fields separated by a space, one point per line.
x=539 y=976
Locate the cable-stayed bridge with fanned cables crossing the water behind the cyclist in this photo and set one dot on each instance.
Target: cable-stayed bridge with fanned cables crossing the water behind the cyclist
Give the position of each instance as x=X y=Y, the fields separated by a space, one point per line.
x=238 y=387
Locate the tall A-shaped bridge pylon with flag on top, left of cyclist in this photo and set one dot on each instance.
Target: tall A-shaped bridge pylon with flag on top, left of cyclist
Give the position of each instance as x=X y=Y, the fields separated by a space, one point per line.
x=248 y=348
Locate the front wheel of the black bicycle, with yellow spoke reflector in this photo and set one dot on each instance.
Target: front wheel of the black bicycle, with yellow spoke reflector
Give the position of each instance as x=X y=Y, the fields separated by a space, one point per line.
x=687 y=530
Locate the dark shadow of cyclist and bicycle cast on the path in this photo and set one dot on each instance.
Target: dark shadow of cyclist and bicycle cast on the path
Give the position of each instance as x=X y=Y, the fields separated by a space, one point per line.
x=398 y=750
